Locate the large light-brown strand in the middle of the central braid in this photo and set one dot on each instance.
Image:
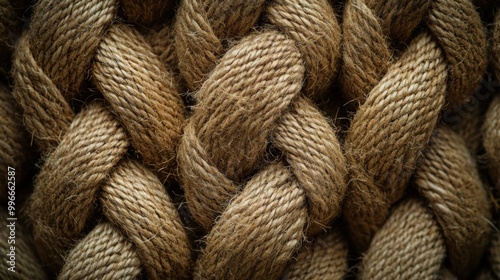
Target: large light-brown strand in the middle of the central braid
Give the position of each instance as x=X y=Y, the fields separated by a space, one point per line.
x=226 y=110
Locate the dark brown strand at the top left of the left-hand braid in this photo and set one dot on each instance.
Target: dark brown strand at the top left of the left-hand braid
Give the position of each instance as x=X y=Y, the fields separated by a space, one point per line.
x=58 y=59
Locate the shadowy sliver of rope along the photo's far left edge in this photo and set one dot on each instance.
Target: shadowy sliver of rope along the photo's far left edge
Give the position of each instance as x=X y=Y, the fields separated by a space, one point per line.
x=13 y=153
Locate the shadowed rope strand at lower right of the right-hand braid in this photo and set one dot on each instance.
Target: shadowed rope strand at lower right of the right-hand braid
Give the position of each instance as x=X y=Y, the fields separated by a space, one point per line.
x=448 y=179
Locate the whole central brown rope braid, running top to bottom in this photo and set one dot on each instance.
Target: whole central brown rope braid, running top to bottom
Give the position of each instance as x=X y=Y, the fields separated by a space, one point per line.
x=255 y=226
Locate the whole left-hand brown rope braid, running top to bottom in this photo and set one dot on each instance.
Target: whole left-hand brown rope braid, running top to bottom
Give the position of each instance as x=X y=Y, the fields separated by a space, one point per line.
x=85 y=152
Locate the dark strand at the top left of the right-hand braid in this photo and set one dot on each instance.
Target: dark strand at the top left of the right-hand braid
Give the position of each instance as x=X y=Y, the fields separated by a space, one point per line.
x=366 y=25
